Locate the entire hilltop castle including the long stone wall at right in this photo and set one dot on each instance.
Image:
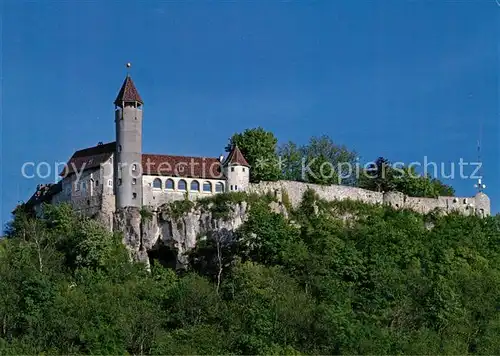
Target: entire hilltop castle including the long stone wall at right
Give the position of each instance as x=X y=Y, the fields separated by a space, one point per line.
x=100 y=180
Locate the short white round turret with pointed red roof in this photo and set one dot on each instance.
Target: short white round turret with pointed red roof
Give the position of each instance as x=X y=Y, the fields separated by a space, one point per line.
x=237 y=171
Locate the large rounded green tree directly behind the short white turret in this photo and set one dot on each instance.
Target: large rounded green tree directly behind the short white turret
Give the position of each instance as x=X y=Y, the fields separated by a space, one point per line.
x=259 y=149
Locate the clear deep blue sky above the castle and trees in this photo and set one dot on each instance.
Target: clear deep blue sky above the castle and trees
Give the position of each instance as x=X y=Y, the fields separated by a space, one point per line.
x=400 y=79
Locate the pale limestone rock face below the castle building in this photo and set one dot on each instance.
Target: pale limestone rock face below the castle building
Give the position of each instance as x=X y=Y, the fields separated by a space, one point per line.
x=143 y=234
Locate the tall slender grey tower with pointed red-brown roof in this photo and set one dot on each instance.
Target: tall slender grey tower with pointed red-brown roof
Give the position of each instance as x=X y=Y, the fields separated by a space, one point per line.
x=128 y=152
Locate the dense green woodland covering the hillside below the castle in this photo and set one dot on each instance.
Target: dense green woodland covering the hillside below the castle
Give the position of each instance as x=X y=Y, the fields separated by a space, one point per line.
x=343 y=278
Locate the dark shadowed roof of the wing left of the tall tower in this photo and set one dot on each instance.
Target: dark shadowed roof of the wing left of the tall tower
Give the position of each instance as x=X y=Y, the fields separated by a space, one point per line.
x=89 y=158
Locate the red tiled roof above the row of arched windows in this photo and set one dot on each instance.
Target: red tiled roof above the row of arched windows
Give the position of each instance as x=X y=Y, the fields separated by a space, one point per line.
x=182 y=166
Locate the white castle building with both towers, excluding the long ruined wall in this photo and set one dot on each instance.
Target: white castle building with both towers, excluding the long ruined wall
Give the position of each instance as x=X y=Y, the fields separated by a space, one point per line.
x=118 y=174
